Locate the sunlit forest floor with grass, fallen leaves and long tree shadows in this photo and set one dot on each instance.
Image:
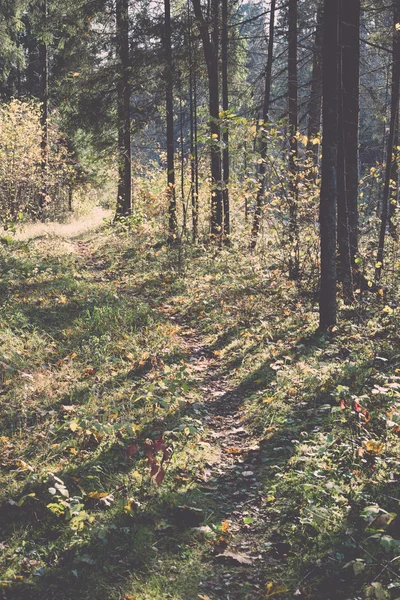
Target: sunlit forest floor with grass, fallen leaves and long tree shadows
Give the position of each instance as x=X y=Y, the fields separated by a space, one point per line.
x=173 y=427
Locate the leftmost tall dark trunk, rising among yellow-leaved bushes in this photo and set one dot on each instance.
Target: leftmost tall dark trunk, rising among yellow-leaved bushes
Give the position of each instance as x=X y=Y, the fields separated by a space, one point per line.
x=44 y=100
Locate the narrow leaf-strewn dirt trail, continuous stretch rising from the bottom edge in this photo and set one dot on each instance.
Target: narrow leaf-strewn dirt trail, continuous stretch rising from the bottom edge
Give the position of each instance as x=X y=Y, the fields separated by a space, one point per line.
x=232 y=480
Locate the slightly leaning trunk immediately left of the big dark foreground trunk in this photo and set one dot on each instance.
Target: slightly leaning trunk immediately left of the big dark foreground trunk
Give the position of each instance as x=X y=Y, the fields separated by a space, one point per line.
x=315 y=105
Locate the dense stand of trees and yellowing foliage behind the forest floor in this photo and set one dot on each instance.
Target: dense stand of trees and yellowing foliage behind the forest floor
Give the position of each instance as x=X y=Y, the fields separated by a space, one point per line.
x=238 y=82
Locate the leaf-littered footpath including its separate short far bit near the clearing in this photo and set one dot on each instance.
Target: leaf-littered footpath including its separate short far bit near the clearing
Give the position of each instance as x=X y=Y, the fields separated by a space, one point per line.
x=230 y=480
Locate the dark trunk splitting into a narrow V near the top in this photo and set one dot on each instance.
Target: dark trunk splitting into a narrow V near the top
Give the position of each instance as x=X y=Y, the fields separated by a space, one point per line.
x=210 y=47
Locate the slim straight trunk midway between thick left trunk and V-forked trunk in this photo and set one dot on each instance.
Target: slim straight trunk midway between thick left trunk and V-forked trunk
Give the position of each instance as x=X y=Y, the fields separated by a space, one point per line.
x=172 y=216
